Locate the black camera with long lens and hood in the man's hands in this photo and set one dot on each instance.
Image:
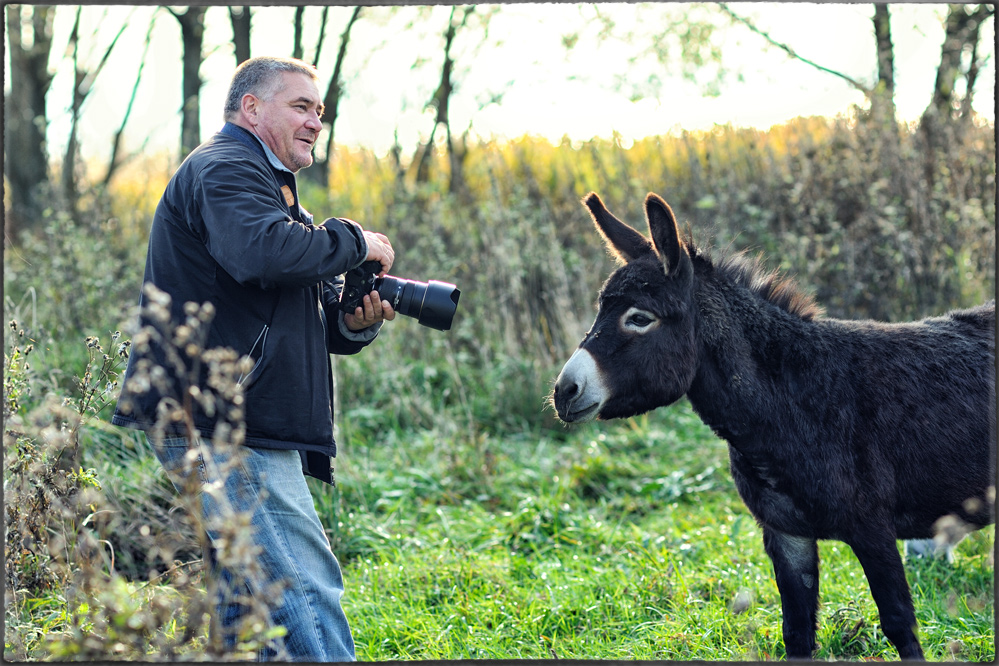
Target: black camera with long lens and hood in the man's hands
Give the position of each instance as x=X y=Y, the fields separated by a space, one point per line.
x=431 y=303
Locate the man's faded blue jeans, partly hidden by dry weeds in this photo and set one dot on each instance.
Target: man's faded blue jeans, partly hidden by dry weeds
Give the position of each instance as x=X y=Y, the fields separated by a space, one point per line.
x=291 y=569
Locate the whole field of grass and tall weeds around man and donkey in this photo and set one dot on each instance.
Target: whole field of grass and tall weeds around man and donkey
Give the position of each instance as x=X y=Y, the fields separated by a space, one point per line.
x=471 y=524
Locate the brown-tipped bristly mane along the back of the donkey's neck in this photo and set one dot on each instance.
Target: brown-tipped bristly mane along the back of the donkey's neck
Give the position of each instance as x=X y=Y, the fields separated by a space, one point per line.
x=772 y=286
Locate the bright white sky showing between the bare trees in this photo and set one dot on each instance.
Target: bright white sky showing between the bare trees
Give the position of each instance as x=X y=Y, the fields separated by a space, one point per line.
x=547 y=91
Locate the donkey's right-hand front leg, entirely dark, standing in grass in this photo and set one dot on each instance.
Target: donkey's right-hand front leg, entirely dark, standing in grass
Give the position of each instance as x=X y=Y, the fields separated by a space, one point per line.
x=878 y=554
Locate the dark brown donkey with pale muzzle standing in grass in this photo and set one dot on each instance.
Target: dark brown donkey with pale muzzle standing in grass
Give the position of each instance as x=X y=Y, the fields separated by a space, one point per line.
x=858 y=431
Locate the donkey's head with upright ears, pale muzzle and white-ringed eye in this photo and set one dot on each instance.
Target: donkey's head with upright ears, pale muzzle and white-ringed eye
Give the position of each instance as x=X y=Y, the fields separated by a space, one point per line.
x=640 y=352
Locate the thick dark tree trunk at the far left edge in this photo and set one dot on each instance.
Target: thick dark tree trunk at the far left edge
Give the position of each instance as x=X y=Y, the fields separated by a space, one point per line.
x=25 y=120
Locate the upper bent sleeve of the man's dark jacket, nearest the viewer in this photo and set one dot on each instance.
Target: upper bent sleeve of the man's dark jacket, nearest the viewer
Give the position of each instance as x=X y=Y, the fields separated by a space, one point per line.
x=248 y=230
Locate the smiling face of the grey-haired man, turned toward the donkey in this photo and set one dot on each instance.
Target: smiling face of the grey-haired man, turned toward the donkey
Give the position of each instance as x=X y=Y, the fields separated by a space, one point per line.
x=288 y=122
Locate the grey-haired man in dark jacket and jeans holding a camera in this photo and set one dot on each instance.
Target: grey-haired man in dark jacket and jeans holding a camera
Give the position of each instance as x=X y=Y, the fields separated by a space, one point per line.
x=229 y=231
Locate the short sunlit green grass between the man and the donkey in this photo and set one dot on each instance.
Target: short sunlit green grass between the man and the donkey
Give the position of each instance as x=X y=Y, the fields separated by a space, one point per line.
x=624 y=540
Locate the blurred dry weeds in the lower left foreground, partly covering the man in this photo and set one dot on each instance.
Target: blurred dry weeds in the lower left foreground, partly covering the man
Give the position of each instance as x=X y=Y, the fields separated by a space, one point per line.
x=59 y=552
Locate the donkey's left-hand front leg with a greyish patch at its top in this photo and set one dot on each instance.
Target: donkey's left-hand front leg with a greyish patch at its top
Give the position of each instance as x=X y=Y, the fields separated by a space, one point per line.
x=796 y=567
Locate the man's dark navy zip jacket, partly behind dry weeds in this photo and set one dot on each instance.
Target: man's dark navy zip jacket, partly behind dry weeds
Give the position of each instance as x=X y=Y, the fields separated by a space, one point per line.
x=230 y=230
